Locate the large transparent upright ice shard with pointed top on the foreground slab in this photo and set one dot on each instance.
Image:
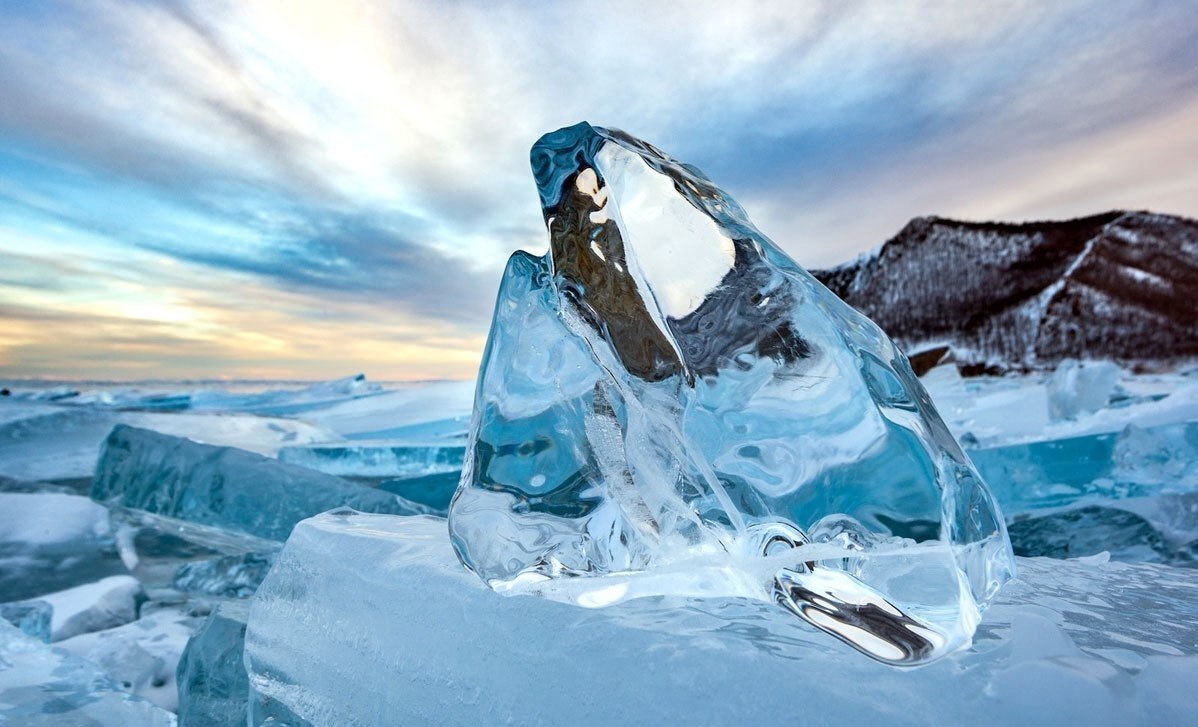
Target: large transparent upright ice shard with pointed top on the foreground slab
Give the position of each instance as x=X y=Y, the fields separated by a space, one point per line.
x=669 y=401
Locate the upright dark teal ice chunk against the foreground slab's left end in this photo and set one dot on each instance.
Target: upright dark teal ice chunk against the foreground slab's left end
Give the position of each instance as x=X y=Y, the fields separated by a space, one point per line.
x=214 y=688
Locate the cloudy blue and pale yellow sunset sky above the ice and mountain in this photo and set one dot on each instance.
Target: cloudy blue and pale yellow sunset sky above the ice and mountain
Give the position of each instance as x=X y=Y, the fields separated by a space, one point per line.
x=307 y=190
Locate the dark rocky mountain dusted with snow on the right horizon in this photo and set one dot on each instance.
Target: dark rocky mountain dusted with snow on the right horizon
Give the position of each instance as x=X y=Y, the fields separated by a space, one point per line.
x=1121 y=286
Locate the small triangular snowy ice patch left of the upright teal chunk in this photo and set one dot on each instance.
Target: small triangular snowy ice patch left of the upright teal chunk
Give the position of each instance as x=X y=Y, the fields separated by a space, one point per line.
x=142 y=656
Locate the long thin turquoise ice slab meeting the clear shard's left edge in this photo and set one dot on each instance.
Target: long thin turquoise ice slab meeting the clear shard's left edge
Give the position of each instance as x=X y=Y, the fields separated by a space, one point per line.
x=379 y=458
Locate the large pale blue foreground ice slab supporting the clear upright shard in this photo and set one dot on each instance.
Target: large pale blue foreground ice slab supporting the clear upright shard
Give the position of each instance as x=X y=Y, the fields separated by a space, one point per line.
x=370 y=620
